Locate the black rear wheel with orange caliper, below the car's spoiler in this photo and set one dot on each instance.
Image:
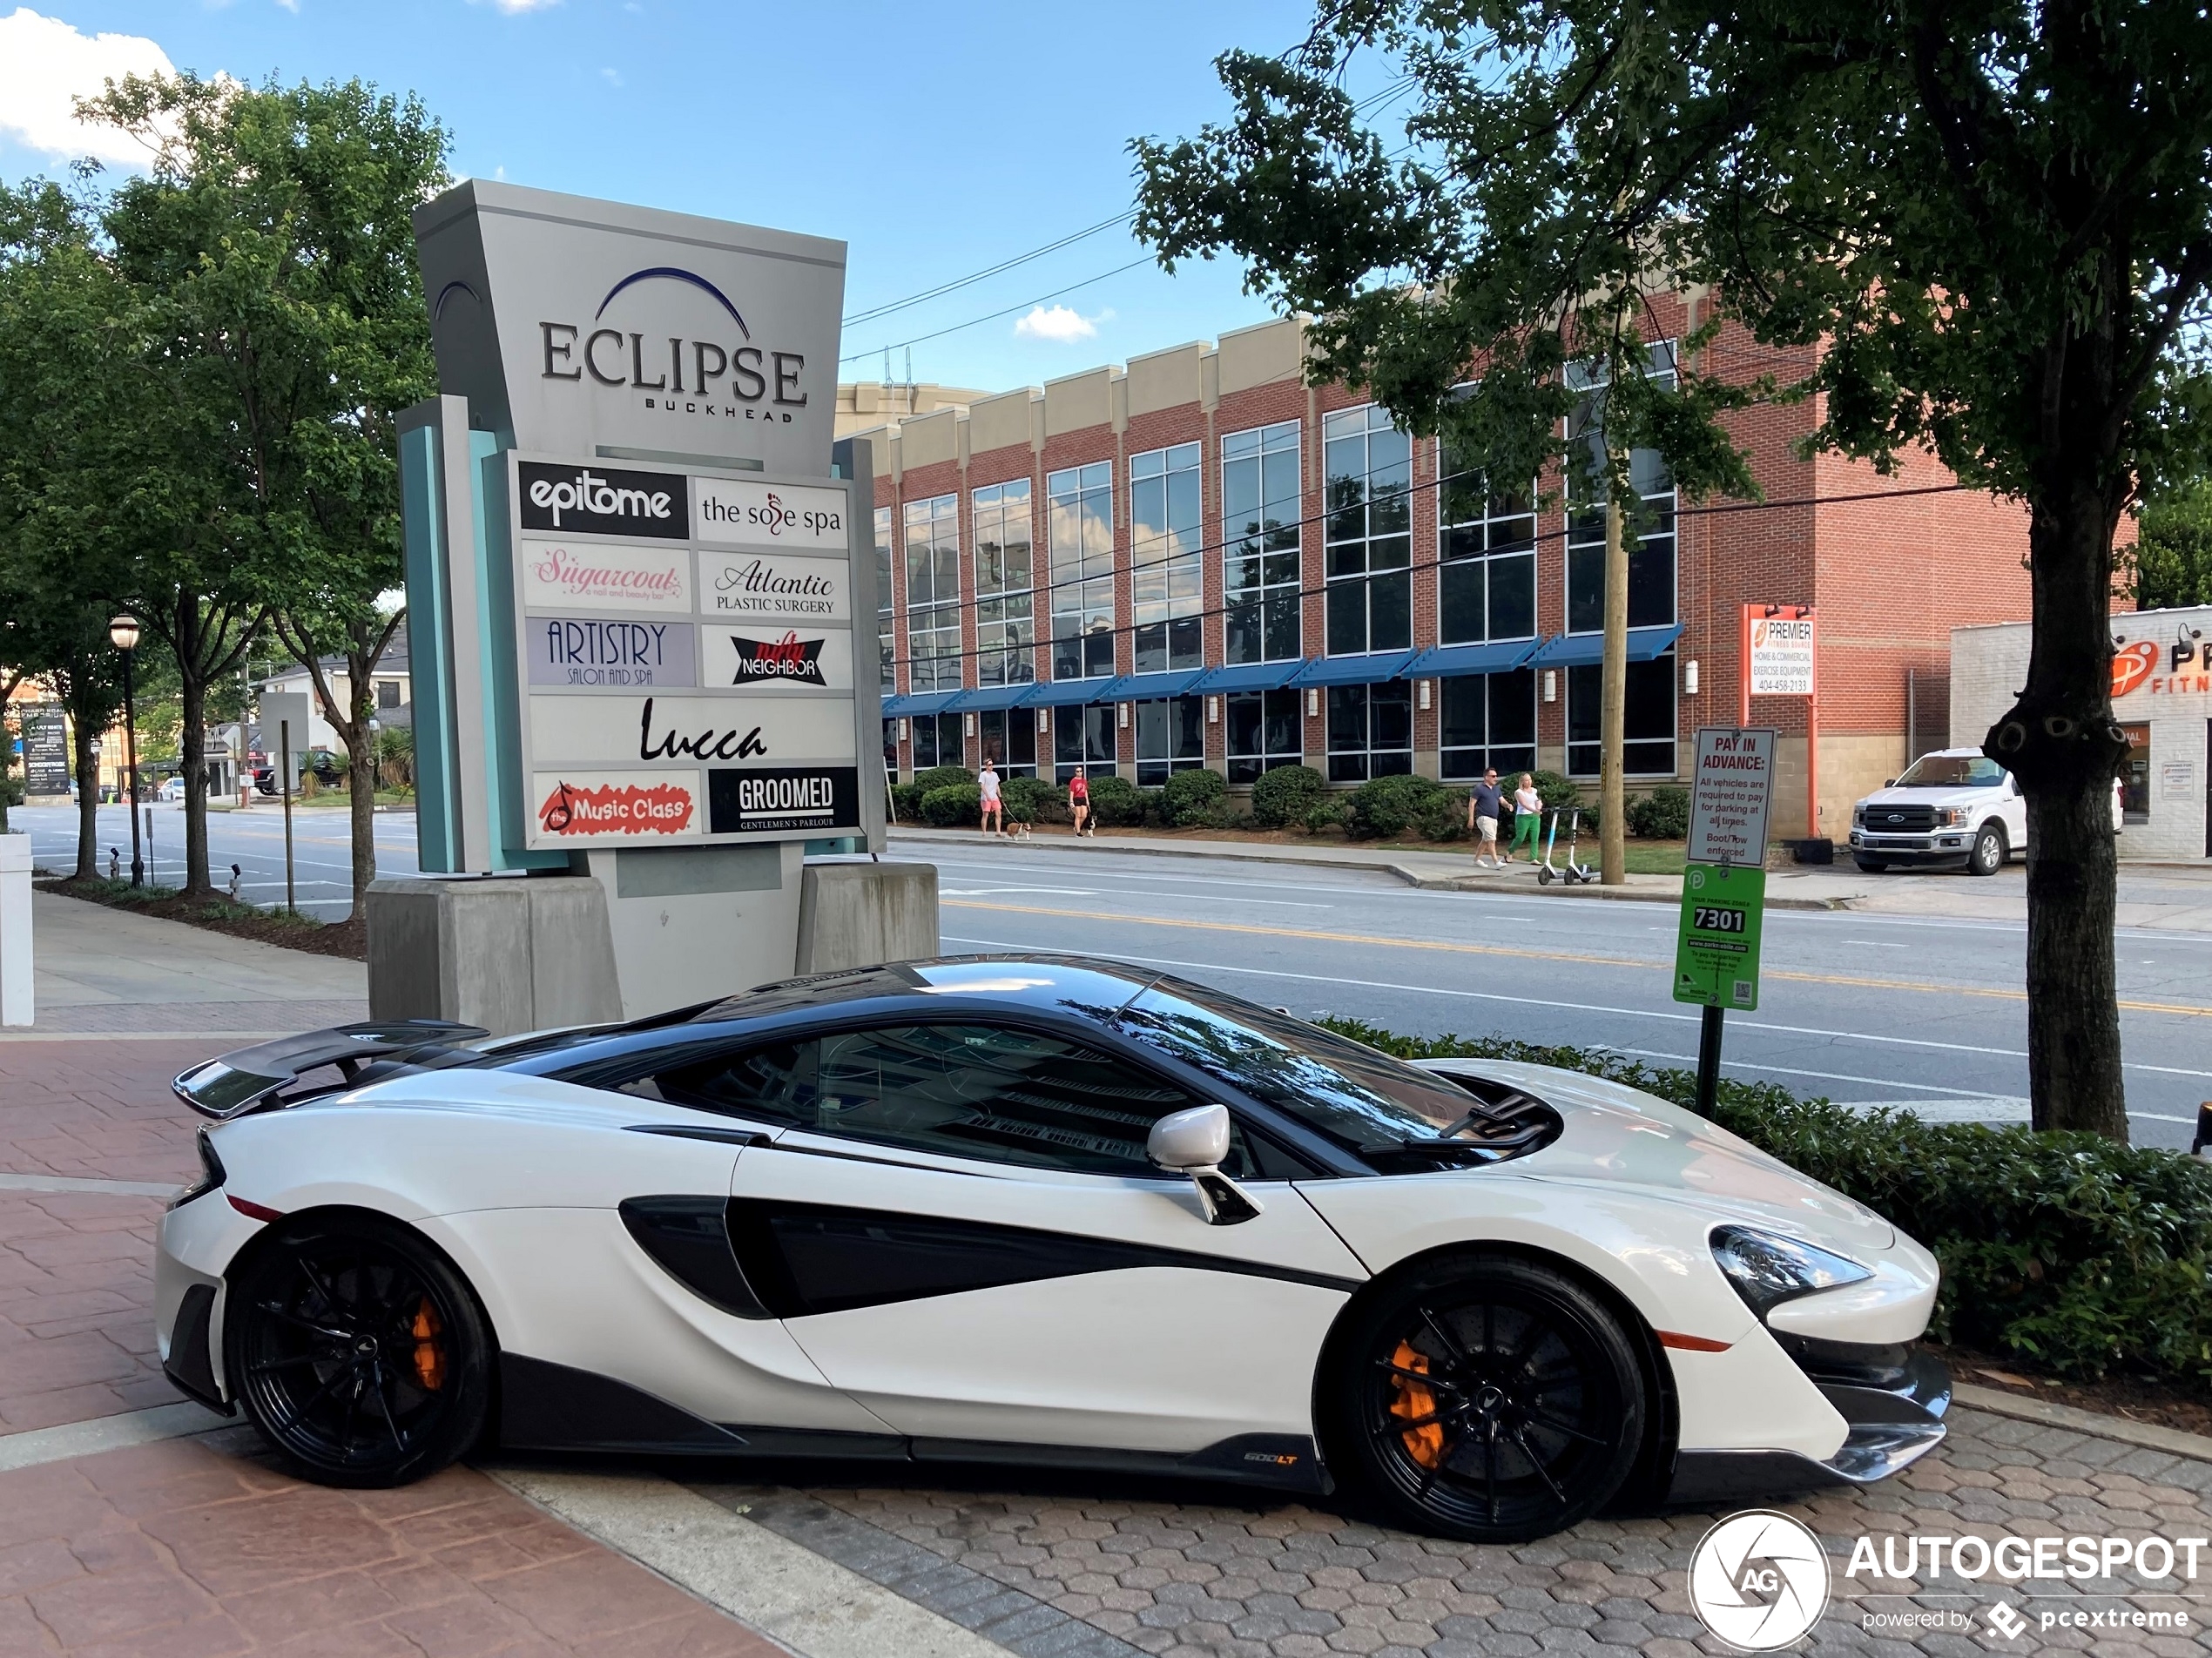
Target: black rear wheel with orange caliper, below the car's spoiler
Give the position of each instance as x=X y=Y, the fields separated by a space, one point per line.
x=357 y=1352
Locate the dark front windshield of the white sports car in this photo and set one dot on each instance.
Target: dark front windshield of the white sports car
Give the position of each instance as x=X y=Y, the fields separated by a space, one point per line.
x=1350 y=1093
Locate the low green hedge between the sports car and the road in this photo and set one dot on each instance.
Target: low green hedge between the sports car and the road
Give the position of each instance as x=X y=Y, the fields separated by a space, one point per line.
x=2065 y=1250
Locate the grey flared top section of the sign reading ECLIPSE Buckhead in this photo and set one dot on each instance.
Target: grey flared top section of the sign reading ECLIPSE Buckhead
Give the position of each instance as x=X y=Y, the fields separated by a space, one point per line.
x=601 y=330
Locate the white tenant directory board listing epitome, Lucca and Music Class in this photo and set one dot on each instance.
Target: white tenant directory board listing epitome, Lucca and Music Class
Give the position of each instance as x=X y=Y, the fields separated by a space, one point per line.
x=685 y=653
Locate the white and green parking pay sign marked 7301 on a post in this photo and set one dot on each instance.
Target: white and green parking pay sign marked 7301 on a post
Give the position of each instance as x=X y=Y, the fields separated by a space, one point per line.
x=1724 y=888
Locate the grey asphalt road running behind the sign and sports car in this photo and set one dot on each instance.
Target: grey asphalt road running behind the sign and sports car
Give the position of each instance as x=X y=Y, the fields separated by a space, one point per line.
x=1866 y=1009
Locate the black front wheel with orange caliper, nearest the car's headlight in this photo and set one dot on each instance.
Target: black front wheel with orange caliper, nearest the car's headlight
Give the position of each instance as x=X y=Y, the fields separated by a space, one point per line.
x=1488 y=1398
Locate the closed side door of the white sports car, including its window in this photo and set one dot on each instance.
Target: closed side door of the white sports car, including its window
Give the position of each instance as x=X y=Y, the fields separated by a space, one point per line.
x=963 y=1232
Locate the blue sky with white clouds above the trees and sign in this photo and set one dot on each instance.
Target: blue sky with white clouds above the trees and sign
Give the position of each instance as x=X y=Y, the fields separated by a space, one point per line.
x=932 y=138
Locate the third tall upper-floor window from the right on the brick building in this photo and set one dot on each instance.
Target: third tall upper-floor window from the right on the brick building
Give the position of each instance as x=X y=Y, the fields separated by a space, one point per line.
x=1368 y=549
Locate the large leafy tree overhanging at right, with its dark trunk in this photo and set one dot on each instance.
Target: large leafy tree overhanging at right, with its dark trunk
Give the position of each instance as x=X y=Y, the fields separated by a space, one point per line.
x=1985 y=233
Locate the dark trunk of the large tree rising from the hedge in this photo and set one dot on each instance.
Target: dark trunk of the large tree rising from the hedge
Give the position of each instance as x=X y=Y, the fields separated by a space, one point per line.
x=2065 y=748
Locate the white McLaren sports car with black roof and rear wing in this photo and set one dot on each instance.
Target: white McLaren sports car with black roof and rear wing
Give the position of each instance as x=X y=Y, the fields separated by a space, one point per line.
x=1032 y=1210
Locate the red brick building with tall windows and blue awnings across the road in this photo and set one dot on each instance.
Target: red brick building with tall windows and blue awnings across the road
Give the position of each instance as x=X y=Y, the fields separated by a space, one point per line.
x=1202 y=560
